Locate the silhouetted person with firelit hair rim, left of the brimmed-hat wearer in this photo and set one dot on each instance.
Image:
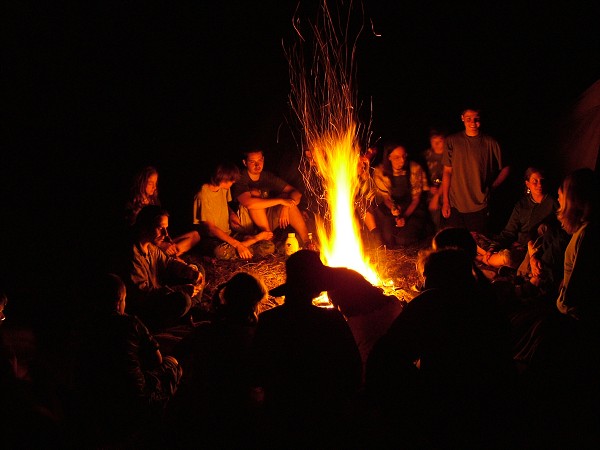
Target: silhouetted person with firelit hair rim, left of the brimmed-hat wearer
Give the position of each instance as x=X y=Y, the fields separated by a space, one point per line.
x=215 y=405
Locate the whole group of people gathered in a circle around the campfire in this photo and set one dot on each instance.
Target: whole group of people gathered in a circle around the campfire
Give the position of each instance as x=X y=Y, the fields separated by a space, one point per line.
x=497 y=349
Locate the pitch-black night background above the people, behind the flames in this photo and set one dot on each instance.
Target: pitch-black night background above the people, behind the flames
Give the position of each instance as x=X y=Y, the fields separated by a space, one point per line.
x=96 y=90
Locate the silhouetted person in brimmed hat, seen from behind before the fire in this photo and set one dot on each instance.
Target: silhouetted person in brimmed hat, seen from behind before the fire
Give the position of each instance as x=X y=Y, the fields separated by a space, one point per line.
x=305 y=358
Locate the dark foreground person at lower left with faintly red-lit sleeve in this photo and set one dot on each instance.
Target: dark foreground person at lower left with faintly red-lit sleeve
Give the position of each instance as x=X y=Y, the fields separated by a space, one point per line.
x=123 y=382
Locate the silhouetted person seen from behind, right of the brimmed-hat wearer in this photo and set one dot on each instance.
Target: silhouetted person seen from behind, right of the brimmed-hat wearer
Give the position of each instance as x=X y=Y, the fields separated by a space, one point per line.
x=443 y=375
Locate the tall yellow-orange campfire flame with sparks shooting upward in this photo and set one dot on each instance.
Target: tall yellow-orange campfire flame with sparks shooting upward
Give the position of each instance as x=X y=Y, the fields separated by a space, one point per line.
x=324 y=100
